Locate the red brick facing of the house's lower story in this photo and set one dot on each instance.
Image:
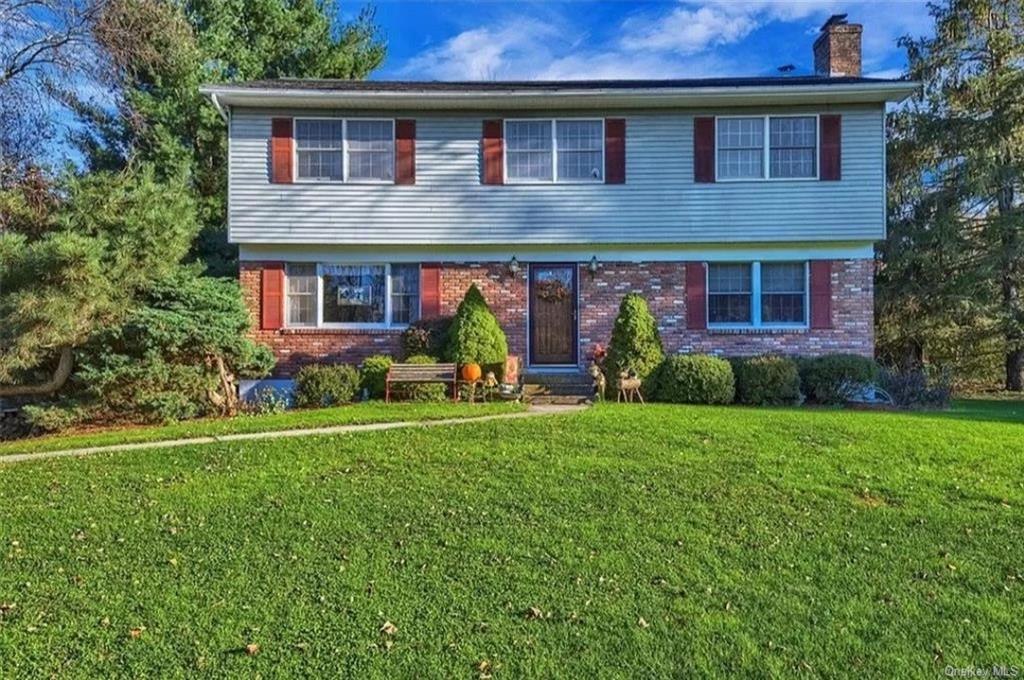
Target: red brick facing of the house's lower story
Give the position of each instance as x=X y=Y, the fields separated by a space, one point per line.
x=663 y=284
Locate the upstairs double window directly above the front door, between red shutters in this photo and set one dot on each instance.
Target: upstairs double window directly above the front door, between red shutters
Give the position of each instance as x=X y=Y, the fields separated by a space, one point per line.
x=560 y=151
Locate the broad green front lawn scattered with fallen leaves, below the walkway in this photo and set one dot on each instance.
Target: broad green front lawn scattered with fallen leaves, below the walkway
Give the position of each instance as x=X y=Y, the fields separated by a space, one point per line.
x=623 y=541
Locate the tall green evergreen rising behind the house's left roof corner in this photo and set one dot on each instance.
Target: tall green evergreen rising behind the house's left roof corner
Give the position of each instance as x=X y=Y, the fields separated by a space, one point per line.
x=160 y=115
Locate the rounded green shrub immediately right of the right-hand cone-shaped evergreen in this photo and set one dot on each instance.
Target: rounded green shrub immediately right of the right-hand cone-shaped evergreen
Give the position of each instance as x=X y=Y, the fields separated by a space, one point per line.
x=695 y=379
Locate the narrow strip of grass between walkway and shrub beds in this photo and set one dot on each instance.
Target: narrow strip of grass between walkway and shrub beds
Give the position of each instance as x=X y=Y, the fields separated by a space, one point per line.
x=370 y=412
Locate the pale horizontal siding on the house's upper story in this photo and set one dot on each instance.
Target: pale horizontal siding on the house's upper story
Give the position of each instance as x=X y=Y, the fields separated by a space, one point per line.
x=660 y=204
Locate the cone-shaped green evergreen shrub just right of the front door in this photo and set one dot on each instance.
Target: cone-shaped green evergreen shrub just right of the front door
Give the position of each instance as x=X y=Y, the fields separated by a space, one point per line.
x=636 y=346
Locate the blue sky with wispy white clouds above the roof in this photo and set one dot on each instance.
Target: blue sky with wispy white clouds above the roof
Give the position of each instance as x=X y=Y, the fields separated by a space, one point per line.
x=440 y=40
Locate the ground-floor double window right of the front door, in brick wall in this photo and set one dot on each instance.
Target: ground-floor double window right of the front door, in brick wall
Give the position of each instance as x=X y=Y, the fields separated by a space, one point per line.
x=757 y=294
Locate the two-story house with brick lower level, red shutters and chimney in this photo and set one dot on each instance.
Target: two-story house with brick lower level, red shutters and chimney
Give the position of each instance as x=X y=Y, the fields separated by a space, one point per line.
x=744 y=209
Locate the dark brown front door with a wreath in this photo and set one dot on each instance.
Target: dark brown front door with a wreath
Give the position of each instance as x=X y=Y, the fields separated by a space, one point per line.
x=552 y=315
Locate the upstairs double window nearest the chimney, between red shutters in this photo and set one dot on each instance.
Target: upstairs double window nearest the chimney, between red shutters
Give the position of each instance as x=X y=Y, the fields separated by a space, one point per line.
x=773 y=147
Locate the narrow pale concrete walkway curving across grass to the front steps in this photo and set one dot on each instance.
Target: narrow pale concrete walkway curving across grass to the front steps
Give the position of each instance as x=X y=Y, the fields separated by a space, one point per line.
x=532 y=412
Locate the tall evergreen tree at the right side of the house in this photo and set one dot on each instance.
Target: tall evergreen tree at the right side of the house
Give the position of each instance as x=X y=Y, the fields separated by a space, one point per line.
x=954 y=267
